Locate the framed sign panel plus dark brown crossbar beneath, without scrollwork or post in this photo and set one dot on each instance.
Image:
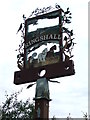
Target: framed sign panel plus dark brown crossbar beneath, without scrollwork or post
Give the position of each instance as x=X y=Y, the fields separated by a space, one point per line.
x=48 y=59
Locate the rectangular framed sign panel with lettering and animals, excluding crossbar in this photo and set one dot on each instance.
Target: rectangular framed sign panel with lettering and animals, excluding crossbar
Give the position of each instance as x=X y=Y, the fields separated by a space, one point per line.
x=42 y=36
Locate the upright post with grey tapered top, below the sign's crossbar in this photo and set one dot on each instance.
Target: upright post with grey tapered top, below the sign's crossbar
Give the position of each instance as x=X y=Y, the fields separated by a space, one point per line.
x=42 y=99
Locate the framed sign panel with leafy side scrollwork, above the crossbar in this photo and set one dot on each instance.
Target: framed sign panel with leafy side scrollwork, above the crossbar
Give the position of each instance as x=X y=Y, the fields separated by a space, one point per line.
x=46 y=45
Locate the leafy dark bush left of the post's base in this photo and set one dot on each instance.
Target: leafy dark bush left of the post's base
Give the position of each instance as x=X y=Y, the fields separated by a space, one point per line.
x=14 y=109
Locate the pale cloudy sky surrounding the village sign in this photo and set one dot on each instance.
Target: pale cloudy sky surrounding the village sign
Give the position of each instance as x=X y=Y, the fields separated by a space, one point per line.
x=71 y=95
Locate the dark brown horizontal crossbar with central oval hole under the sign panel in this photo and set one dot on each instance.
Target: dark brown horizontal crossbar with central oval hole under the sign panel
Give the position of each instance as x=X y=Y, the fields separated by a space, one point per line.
x=56 y=70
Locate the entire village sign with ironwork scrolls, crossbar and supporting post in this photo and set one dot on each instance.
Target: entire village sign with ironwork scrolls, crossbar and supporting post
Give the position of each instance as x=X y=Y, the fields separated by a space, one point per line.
x=47 y=49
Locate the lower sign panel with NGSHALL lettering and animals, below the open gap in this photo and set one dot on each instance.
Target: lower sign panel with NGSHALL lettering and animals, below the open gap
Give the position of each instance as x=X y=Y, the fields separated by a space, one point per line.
x=38 y=38
